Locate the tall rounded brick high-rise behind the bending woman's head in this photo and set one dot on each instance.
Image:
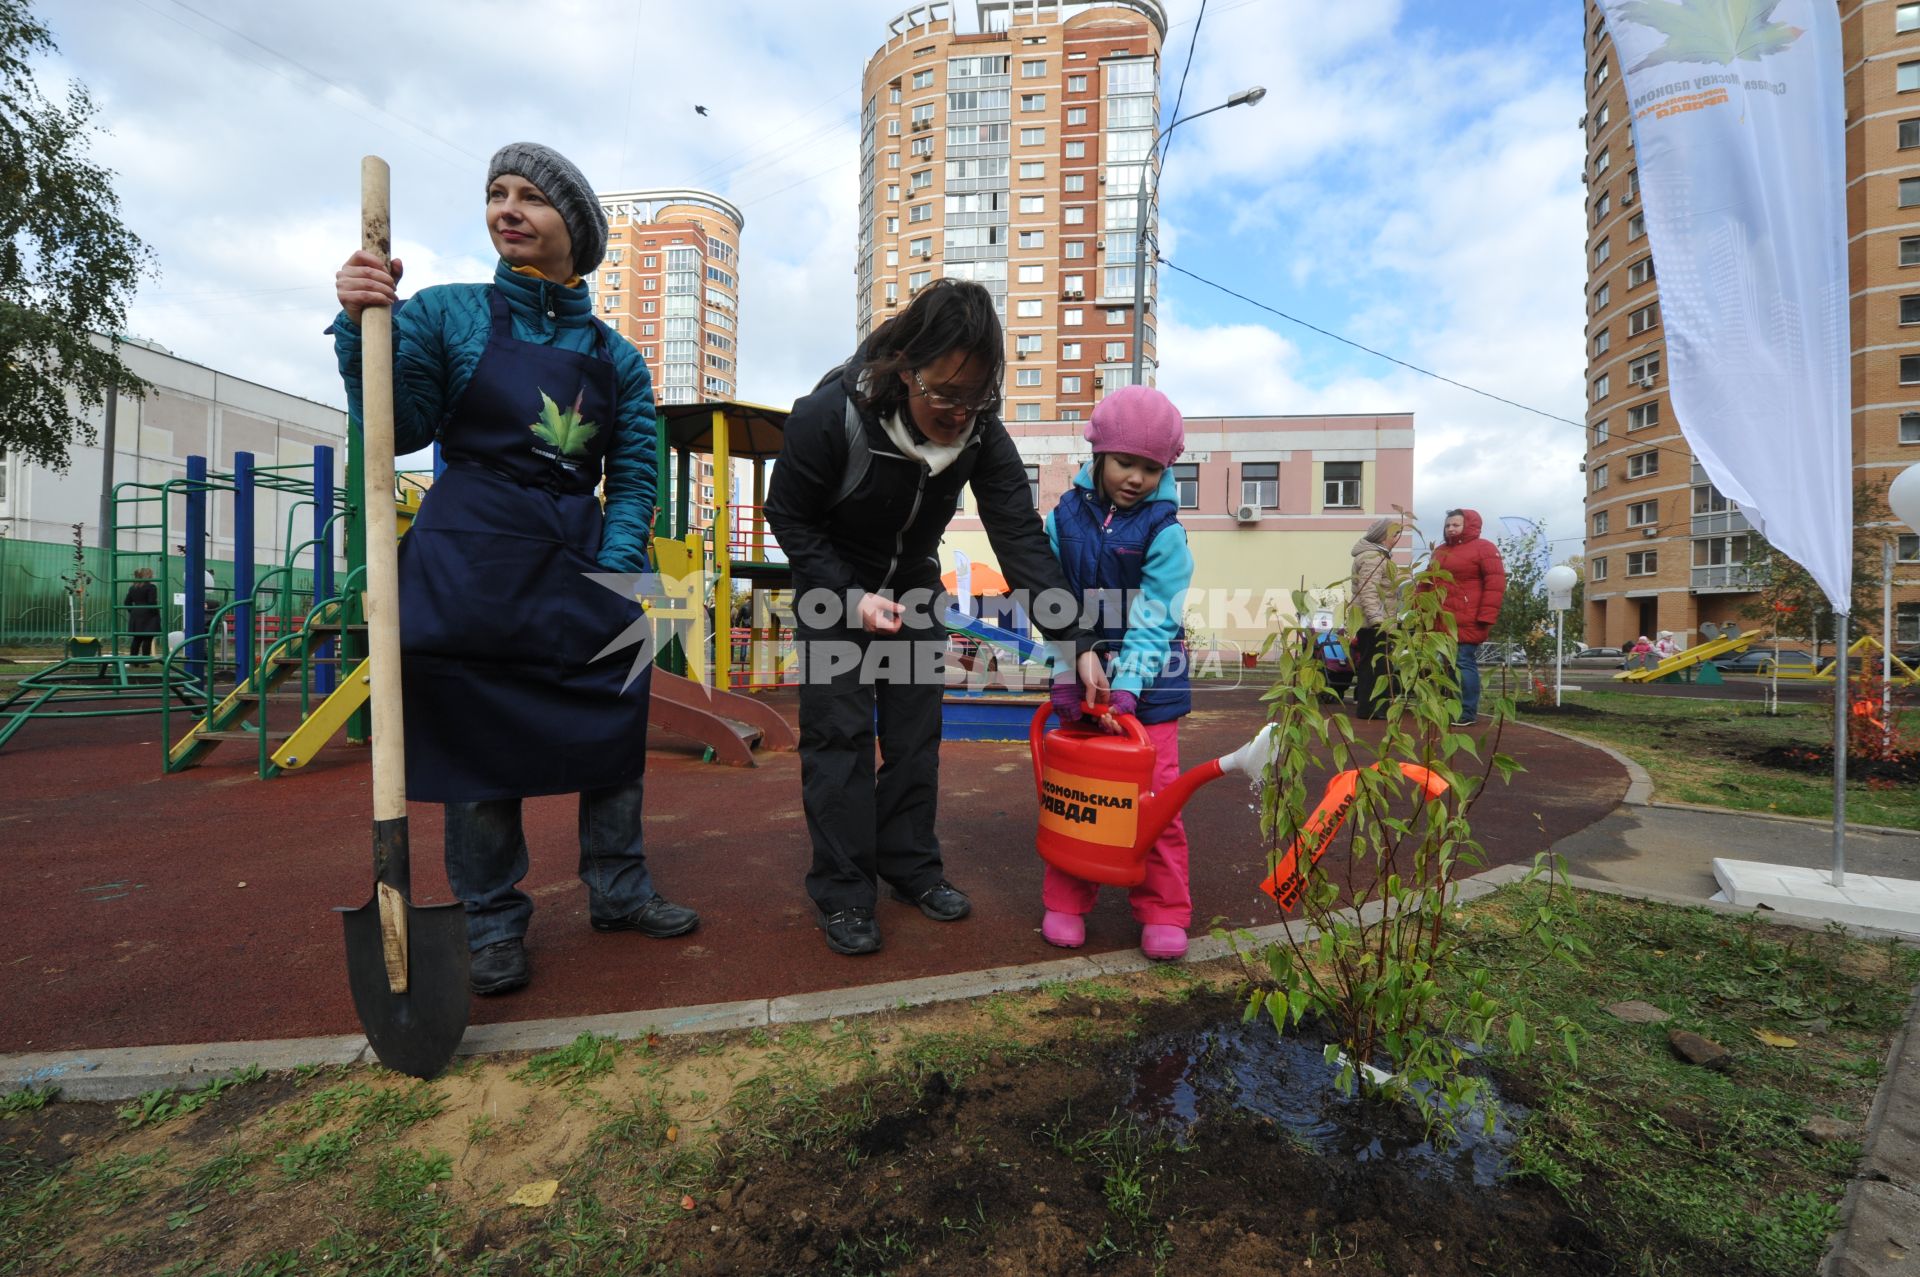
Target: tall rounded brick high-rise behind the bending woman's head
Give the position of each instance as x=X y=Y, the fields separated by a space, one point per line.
x=1015 y=157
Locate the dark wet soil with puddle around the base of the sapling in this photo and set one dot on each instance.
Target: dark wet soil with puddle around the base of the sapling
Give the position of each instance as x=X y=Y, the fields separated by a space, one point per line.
x=1176 y=1151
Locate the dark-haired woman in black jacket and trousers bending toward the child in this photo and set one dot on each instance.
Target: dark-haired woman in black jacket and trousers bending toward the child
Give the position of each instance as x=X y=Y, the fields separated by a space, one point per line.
x=869 y=477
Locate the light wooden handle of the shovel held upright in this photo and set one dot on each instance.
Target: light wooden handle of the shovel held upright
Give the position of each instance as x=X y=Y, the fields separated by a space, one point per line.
x=383 y=535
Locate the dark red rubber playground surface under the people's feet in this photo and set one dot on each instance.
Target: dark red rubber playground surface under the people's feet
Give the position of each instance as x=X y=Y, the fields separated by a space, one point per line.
x=151 y=909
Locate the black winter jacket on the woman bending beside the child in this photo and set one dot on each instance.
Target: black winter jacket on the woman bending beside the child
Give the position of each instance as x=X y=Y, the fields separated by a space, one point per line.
x=886 y=535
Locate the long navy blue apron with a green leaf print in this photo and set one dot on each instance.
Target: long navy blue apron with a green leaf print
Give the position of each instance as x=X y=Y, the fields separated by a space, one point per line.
x=498 y=621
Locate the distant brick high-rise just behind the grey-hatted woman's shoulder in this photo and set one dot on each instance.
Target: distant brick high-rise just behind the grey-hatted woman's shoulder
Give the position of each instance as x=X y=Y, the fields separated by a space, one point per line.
x=671 y=287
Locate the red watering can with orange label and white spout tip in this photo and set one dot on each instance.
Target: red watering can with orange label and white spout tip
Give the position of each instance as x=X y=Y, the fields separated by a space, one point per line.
x=1097 y=813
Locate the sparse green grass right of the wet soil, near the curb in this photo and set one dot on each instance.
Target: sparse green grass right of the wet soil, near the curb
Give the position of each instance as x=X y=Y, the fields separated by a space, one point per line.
x=1698 y=1165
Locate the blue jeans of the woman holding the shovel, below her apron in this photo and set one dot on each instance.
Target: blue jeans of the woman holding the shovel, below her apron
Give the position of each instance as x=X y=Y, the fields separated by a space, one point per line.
x=487 y=861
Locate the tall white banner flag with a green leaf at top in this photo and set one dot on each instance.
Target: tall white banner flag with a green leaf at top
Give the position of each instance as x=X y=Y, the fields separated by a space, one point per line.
x=1739 y=132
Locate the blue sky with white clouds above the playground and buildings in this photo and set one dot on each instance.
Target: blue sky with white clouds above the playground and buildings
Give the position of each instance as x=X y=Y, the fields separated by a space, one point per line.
x=1412 y=183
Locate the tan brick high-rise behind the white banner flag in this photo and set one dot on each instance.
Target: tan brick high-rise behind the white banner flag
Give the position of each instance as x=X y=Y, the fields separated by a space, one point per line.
x=1664 y=548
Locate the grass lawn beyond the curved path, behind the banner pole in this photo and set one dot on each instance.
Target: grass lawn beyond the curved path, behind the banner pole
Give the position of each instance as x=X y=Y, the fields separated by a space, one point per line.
x=1698 y=752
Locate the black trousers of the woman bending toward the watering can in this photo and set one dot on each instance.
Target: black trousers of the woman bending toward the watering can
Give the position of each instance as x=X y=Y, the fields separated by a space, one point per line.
x=865 y=827
